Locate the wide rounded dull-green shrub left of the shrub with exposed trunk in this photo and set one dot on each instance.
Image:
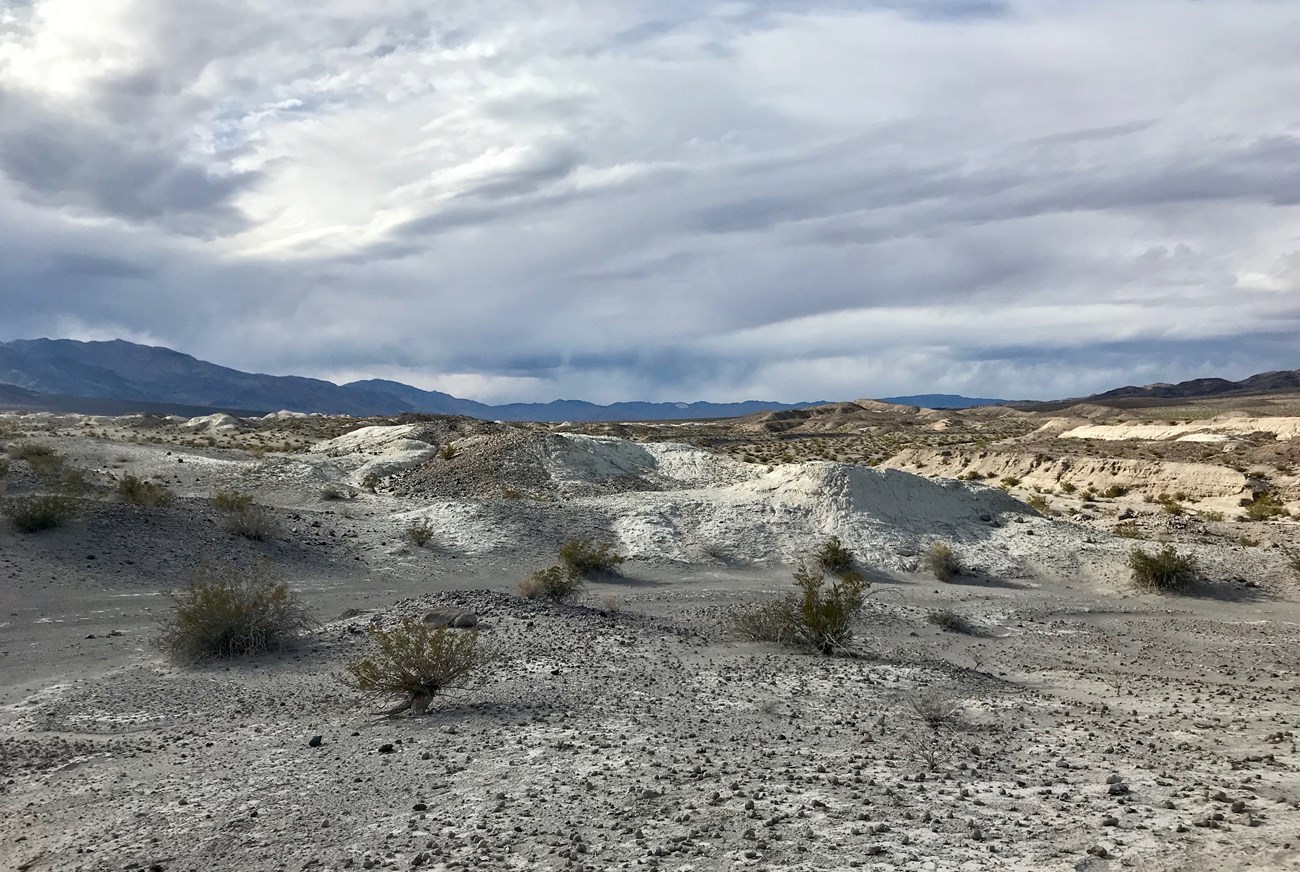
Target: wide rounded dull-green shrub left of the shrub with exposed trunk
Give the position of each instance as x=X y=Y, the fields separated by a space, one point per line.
x=226 y=613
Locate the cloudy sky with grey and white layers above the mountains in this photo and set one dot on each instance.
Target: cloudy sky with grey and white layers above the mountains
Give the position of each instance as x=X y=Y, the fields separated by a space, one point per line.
x=673 y=201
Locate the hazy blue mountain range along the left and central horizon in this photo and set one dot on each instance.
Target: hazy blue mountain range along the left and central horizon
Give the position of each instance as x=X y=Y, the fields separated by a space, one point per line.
x=119 y=378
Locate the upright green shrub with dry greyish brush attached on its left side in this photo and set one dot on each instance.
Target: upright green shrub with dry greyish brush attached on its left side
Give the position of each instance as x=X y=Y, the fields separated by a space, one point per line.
x=818 y=617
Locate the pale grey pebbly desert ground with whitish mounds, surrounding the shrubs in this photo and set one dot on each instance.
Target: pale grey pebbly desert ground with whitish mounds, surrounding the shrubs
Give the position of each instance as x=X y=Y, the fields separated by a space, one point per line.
x=1098 y=728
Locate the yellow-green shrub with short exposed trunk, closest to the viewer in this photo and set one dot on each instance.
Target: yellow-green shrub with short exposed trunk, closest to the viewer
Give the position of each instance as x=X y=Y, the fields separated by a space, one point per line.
x=414 y=662
